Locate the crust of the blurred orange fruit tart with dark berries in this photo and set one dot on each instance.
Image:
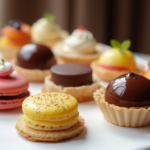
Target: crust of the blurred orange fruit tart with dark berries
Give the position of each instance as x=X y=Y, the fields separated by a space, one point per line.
x=9 y=52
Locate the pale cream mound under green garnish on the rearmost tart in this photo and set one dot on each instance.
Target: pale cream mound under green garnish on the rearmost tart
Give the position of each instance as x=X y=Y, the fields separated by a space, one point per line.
x=45 y=28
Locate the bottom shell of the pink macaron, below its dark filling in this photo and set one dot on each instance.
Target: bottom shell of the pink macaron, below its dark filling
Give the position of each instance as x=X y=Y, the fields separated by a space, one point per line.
x=10 y=104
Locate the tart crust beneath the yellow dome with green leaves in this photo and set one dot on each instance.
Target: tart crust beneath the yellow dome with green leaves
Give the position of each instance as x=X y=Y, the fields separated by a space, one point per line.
x=108 y=75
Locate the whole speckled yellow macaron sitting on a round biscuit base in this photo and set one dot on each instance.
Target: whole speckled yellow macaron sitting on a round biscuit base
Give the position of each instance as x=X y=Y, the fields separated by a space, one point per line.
x=54 y=111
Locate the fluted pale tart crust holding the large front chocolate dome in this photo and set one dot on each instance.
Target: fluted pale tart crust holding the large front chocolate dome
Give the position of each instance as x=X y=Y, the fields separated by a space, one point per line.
x=122 y=116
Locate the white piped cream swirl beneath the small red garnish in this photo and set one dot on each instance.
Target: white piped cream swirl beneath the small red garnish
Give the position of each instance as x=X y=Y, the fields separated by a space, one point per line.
x=80 y=42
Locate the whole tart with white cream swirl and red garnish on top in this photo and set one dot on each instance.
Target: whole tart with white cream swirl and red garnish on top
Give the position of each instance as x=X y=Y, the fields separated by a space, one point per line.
x=79 y=47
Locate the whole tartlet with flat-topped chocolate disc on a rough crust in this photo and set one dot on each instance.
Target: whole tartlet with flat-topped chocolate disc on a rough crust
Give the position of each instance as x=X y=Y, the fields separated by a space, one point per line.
x=72 y=78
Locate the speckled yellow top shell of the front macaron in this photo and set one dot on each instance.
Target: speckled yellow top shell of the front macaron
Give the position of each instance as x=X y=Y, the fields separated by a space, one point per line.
x=52 y=106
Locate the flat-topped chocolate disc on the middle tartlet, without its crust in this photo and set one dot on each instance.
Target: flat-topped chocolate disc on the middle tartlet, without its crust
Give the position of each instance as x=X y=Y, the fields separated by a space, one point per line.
x=71 y=74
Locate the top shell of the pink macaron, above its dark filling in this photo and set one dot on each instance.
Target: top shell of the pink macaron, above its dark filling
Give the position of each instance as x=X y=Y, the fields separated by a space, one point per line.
x=13 y=85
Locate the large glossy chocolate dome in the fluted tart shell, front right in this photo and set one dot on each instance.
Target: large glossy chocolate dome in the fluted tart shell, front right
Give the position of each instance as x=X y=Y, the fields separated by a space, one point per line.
x=129 y=90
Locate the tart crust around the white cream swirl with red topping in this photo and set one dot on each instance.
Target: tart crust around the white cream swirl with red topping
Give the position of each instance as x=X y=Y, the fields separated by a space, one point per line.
x=62 y=57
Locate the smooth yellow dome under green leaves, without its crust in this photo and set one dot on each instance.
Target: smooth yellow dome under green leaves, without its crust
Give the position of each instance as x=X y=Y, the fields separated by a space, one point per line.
x=114 y=58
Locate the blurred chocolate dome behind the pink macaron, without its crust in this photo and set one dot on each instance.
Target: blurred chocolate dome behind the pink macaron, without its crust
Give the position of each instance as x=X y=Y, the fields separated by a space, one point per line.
x=35 y=56
